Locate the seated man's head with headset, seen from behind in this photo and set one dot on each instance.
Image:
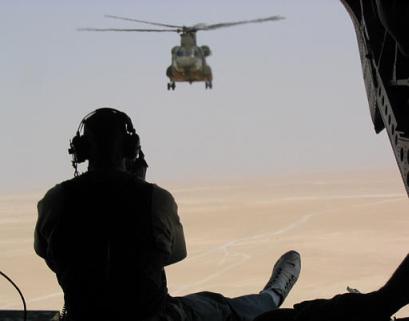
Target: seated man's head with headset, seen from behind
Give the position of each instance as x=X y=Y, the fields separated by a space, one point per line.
x=108 y=140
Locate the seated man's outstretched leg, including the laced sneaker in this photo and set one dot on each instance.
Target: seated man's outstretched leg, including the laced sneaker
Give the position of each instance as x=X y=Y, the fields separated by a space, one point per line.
x=205 y=306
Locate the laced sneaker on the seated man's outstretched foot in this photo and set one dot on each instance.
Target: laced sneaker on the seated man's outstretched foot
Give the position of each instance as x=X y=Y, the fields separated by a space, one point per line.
x=285 y=274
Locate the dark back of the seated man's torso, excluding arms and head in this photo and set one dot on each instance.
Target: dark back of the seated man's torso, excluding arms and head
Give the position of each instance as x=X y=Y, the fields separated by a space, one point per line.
x=102 y=247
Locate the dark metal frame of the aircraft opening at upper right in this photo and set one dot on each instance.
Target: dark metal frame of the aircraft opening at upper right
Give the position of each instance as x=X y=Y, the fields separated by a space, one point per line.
x=382 y=32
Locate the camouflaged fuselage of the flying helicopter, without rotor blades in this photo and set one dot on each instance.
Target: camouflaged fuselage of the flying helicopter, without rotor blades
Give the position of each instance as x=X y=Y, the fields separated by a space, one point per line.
x=189 y=62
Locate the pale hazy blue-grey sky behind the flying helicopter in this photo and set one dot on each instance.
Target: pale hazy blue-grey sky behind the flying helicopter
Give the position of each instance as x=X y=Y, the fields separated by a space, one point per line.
x=288 y=96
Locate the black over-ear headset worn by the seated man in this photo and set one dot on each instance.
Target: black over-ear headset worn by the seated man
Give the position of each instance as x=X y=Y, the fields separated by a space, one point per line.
x=80 y=145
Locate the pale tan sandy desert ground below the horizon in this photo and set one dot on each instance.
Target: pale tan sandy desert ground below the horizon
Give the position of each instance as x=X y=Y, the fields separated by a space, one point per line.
x=350 y=228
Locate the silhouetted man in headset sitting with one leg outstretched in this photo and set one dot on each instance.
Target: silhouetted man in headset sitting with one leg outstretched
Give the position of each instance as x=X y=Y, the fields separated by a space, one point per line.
x=108 y=234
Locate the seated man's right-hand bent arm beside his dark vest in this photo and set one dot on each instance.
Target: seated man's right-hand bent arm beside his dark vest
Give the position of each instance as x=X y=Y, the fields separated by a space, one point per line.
x=167 y=228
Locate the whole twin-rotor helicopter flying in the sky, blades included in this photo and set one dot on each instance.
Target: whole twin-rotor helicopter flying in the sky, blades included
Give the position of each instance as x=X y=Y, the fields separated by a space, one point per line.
x=188 y=59
